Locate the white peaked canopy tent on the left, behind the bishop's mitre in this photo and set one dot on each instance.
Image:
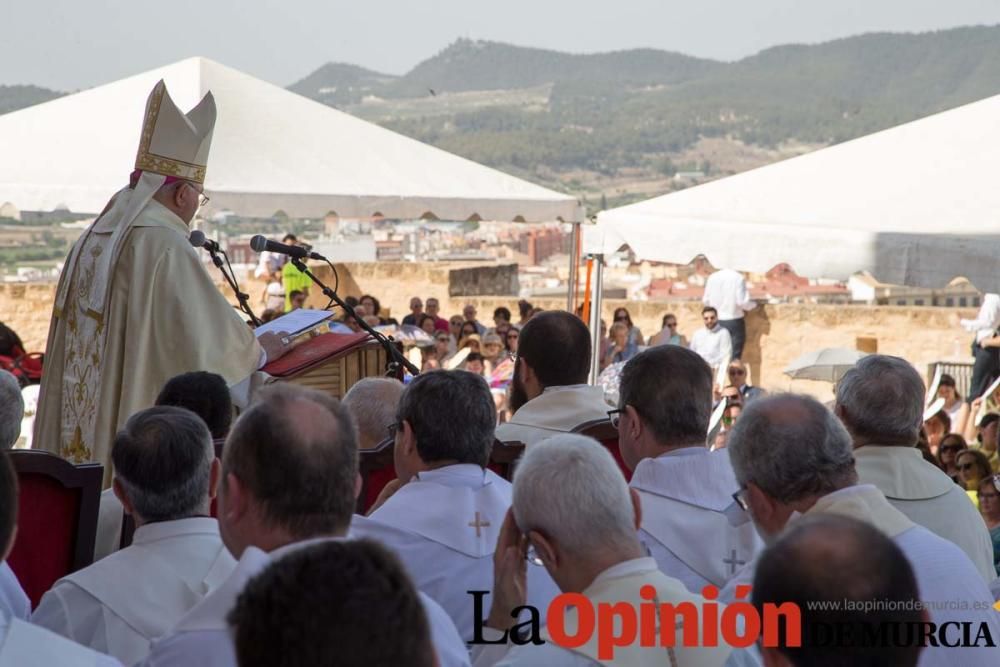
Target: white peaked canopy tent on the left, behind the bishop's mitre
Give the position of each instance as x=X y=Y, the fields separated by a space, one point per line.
x=273 y=150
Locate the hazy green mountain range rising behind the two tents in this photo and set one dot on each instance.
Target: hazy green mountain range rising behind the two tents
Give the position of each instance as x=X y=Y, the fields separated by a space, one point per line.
x=538 y=112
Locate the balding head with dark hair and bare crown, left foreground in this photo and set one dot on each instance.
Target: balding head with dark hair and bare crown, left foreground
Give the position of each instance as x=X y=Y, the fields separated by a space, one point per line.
x=295 y=453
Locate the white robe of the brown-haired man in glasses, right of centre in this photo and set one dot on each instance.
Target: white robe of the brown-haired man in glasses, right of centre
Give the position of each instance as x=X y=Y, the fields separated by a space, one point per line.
x=689 y=515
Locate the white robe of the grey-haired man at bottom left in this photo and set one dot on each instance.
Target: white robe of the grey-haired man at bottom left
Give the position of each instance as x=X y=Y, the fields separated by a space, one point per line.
x=122 y=602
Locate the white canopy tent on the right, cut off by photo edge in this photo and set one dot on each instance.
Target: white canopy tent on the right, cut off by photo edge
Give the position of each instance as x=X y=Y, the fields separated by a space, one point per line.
x=914 y=205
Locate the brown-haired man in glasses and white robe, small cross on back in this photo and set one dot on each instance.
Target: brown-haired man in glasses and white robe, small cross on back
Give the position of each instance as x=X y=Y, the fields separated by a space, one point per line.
x=686 y=491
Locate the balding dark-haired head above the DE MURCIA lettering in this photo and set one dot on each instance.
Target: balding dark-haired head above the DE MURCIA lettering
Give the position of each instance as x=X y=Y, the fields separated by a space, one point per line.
x=834 y=558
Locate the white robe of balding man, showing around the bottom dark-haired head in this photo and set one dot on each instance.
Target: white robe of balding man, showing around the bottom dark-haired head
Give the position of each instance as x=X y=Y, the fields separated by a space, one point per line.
x=202 y=638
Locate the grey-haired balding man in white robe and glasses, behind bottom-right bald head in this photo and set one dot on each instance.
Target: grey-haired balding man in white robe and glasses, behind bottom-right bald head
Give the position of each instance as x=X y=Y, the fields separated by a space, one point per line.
x=793 y=457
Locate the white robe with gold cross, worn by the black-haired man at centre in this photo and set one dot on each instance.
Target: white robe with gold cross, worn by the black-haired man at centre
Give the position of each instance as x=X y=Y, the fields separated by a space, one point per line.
x=443 y=525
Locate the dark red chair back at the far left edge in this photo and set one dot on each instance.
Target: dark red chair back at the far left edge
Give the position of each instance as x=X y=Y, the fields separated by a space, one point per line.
x=46 y=533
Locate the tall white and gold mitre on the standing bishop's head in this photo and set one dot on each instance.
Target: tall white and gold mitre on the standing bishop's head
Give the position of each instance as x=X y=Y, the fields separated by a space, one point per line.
x=173 y=143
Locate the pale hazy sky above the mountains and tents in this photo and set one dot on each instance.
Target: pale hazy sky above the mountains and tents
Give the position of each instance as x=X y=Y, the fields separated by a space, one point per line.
x=70 y=44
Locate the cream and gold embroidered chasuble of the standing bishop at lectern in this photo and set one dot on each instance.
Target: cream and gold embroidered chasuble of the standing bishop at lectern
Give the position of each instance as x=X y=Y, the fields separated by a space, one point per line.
x=164 y=316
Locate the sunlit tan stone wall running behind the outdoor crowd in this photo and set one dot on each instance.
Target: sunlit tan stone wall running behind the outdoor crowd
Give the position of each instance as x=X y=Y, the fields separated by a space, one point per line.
x=776 y=334
